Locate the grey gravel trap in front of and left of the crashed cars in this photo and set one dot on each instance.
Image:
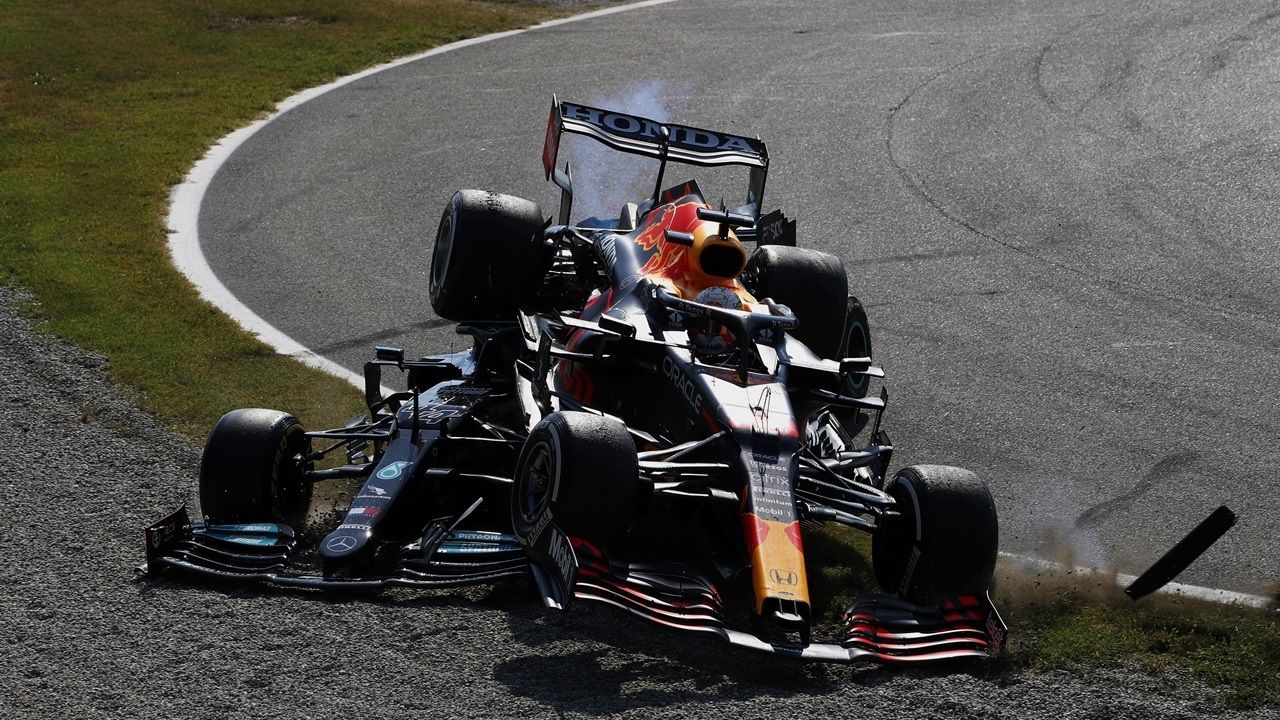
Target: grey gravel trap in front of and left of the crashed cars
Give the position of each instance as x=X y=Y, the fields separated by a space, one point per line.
x=80 y=639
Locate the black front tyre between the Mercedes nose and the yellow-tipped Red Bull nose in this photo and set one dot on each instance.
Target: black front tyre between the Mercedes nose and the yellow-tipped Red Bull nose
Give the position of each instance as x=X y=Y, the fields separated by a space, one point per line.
x=583 y=470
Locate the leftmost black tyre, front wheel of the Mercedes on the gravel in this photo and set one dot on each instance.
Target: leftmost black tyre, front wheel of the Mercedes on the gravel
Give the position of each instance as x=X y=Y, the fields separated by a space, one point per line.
x=253 y=470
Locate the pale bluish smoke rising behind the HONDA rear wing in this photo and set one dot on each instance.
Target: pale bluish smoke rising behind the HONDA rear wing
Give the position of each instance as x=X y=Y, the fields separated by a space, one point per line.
x=605 y=179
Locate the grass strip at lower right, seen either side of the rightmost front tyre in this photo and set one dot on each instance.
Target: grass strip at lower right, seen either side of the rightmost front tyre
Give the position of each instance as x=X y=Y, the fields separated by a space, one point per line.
x=1085 y=623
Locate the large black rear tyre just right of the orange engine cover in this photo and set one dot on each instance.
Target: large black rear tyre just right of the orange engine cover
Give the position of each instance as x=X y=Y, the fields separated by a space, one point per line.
x=810 y=282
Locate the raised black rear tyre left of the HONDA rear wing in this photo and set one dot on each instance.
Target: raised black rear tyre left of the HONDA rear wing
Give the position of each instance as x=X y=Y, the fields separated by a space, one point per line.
x=488 y=259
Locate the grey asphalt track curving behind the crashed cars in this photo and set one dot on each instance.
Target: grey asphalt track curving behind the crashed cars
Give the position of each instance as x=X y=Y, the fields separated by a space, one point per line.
x=1060 y=217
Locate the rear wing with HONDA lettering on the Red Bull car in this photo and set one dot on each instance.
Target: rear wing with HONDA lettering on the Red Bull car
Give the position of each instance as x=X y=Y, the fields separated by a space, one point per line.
x=662 y=142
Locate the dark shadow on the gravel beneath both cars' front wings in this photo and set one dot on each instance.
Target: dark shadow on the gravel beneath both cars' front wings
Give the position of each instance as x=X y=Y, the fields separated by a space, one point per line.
x=592 y=659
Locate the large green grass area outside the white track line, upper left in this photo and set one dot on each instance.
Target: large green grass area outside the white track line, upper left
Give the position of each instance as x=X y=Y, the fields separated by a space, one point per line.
x=106 y=106
